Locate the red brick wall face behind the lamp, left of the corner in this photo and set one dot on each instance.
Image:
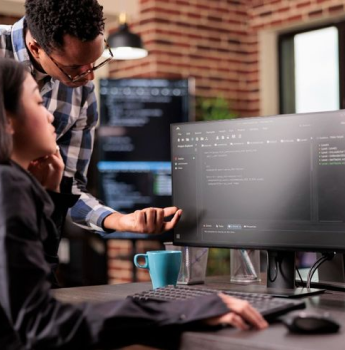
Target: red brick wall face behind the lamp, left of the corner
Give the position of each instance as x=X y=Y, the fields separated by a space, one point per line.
x=207 y=40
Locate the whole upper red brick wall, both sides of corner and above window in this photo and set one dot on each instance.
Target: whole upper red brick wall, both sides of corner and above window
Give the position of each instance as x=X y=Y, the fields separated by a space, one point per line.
x=216 y=42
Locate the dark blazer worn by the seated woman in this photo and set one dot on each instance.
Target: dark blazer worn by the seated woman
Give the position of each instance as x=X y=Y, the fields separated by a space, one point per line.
x=27 y=236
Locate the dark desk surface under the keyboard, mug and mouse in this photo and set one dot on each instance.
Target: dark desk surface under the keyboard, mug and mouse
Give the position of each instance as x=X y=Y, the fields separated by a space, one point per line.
x=276 y=337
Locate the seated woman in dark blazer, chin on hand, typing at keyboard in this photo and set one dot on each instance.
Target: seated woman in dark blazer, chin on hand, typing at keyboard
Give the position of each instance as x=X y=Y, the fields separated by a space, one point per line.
x=35 y=318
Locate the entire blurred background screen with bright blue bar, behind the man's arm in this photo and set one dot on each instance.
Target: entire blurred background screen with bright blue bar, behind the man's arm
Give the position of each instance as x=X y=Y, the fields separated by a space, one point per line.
x=133 y=142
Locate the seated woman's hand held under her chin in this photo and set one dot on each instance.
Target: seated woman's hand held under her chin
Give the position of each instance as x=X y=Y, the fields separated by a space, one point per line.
x=48 y=171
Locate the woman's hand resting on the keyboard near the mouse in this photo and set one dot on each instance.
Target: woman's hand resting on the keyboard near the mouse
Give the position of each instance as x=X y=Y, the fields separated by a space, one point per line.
x=242 y=315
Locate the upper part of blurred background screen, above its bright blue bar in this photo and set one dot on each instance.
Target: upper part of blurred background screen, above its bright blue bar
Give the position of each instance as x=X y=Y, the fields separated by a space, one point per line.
x=136 y=115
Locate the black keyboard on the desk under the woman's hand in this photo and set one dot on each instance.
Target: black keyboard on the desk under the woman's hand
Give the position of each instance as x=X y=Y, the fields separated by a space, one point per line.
x=269 y=306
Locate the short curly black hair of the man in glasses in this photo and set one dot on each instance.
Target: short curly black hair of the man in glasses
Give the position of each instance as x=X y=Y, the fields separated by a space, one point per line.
x=49 y=20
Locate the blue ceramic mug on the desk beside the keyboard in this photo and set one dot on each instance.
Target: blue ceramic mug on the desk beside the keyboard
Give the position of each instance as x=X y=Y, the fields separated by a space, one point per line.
x=163 y=265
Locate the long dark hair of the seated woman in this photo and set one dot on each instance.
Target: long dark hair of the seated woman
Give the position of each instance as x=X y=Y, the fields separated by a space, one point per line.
x=12 y=76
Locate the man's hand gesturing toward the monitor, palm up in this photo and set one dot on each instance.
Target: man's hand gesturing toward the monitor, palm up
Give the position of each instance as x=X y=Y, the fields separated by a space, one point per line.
x=149 y=220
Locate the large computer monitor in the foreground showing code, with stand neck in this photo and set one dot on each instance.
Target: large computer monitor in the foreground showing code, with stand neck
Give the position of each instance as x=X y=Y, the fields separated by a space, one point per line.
x=271 y=183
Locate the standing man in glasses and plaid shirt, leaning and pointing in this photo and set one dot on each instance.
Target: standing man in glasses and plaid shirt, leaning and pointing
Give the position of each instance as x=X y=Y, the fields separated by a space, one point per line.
x=62 y=43
